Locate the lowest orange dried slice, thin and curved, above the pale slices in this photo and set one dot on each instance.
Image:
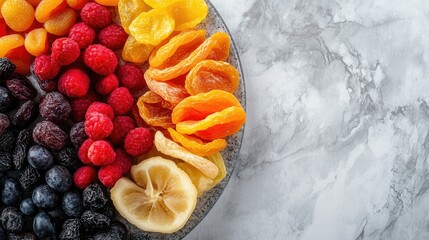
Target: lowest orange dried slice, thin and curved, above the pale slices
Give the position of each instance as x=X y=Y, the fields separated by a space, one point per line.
x=196 y=146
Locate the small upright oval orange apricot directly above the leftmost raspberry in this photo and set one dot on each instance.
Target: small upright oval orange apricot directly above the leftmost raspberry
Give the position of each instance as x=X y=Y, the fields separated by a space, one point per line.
x=36 y=42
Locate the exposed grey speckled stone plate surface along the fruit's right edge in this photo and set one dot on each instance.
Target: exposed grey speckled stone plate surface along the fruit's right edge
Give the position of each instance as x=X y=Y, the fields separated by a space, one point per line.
x=213 y=23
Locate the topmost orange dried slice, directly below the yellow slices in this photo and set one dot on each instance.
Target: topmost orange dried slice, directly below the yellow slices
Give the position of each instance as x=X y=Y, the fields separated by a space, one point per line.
x=177 y=49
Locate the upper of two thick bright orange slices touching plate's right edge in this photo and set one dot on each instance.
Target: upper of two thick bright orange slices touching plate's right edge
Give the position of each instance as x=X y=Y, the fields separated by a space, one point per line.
x=200 y=106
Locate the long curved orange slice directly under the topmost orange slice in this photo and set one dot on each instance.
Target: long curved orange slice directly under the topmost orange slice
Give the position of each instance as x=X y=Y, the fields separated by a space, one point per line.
x=216 y=48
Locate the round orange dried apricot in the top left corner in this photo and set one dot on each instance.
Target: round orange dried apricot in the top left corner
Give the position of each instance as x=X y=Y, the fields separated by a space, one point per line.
x=18 y=14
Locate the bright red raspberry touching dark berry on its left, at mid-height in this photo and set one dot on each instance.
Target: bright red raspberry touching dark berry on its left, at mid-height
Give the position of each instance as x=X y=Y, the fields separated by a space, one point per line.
x=98 y=126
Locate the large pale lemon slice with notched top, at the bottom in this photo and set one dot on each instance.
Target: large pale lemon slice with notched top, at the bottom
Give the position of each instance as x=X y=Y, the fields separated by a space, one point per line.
x=161 y=200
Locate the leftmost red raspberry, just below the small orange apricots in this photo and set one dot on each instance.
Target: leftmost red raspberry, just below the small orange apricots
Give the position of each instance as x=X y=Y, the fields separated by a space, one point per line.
x=45 y=67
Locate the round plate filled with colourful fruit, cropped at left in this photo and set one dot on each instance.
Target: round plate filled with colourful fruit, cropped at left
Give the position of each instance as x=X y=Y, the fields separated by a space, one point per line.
x=119 y=119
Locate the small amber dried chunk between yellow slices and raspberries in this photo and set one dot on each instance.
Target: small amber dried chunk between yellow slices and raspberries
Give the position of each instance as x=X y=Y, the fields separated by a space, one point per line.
x=136 y=52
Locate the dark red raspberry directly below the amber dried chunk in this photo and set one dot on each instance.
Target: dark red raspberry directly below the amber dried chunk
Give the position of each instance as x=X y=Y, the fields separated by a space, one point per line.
x=131 y=76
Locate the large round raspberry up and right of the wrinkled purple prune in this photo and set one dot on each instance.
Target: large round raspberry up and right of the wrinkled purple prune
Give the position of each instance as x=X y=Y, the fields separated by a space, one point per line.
x=74 y=83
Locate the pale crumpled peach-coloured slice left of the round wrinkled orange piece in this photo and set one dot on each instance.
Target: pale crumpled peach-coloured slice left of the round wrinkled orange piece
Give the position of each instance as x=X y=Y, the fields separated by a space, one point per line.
x=169 y=91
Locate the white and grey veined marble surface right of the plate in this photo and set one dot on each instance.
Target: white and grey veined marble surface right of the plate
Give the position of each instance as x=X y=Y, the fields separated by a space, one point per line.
x=337 y=139
